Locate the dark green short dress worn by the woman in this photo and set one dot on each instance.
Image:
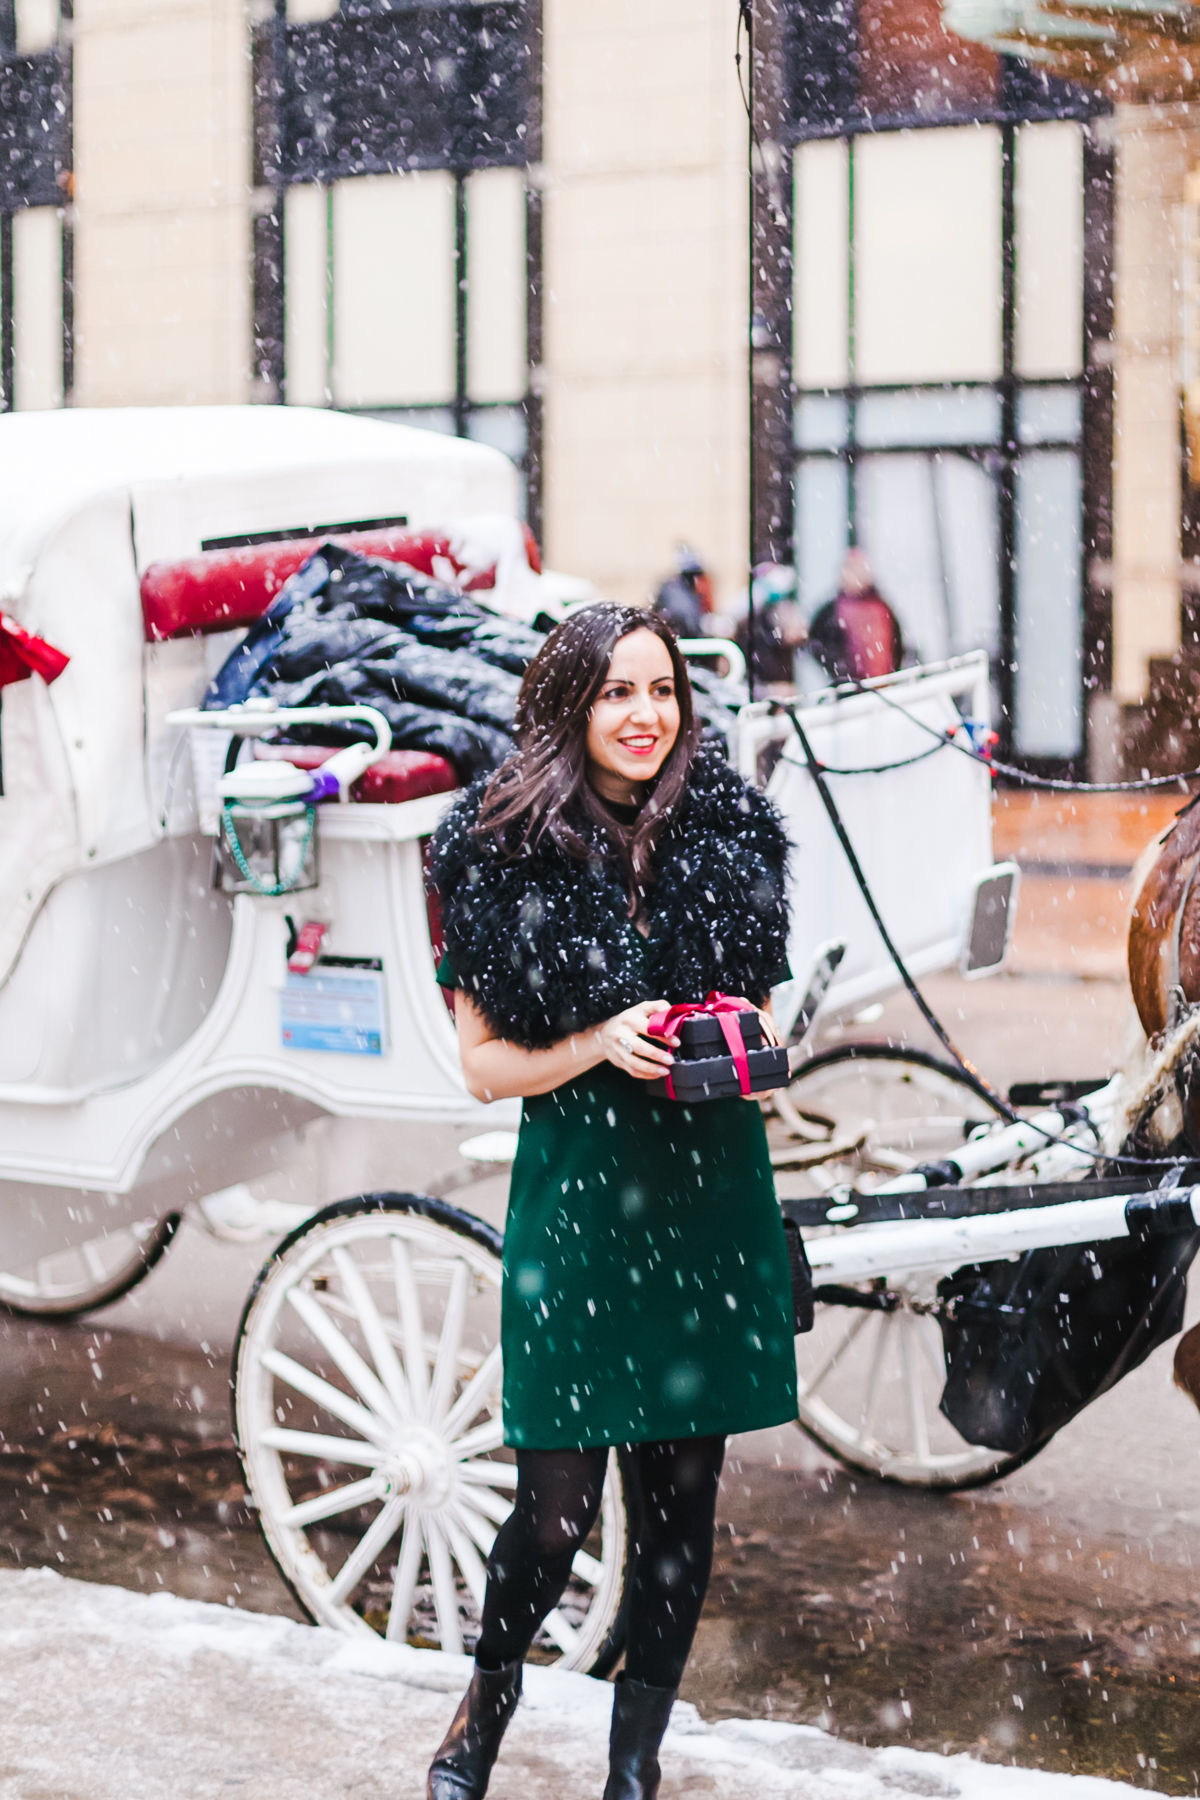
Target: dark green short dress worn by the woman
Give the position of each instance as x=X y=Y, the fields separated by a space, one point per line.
x=647 y=1288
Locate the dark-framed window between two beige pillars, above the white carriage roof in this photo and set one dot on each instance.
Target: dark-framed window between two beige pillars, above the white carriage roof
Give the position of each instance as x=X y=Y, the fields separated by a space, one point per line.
x=393 y=271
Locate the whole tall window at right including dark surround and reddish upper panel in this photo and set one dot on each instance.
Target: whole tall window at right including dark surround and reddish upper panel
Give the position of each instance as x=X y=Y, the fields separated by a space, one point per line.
x=949 y=327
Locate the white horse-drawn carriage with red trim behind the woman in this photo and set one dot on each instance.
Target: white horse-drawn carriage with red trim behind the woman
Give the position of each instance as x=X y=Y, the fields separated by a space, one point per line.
x=156 y=1047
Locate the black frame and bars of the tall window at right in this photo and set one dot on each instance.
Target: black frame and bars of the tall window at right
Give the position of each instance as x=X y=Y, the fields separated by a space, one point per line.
x=805 y=85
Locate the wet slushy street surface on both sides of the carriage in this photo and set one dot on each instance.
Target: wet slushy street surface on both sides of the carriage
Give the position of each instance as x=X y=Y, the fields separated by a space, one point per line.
x=1052 y=1621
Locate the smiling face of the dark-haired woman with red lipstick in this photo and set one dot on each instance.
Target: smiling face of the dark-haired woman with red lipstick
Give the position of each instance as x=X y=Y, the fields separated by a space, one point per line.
x=634 y=721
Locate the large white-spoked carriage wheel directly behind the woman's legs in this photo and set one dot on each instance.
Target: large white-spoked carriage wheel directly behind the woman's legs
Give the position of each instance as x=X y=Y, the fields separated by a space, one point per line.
x=368 y=1414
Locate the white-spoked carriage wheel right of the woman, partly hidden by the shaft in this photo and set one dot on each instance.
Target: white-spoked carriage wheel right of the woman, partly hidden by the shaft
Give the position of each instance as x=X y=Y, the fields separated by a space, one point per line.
x=872 y=1376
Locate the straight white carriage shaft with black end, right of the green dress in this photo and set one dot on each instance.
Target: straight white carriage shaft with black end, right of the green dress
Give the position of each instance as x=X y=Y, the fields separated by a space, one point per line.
x=915 y=1245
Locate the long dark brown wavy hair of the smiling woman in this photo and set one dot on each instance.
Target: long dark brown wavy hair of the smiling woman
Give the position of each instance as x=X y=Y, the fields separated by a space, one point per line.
x=542 y=791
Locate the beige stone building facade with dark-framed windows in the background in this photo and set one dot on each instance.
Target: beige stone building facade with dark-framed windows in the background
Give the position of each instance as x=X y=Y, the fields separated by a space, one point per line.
x=533 y=222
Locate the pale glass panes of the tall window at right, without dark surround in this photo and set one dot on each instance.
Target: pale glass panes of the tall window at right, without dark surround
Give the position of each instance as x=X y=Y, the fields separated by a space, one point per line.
x=938 y=420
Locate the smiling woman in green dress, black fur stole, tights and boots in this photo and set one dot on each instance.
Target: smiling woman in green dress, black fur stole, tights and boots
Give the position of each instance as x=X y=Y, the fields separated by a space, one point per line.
x=611 y=868
